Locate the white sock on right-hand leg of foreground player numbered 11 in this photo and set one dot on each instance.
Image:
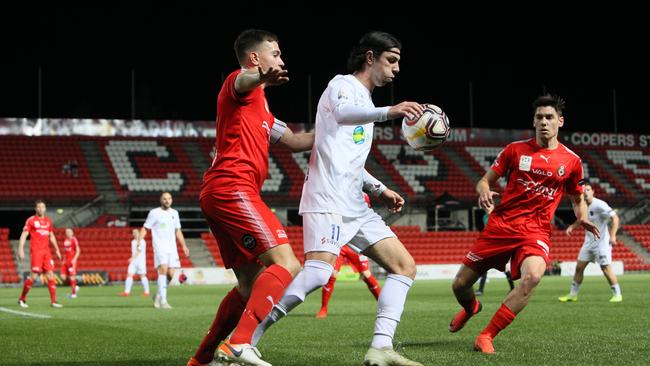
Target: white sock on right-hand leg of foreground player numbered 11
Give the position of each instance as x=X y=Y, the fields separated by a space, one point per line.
x=389 y=309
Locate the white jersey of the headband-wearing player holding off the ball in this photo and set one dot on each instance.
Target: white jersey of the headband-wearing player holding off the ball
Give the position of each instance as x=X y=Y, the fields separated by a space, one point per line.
x=344 y=131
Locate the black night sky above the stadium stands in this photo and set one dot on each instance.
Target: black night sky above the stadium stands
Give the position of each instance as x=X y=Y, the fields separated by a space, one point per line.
x=180 y=53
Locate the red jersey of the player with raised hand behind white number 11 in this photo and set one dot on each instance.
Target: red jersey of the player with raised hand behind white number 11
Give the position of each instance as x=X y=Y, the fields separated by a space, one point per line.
x=244 y=125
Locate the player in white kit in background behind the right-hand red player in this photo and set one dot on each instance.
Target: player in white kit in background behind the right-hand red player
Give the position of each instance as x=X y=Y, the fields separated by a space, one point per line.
x=598 y=250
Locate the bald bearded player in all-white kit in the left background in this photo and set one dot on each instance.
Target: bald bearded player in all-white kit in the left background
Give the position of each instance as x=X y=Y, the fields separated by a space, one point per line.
x=165 y=226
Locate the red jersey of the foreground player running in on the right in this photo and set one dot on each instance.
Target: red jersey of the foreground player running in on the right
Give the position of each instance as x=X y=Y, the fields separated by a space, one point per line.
x=537 y=179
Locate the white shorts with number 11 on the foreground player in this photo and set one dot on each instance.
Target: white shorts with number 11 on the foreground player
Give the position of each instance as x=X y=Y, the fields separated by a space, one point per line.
x=326 y=232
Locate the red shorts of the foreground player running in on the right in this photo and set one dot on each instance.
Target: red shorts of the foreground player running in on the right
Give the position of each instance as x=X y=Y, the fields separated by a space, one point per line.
x=494 y=251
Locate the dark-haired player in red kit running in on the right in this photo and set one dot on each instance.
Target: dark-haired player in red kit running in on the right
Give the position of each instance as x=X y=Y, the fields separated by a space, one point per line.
x=539 y=171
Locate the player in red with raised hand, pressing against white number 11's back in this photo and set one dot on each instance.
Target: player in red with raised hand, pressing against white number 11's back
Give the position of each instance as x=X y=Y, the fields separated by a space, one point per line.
x=251 y=239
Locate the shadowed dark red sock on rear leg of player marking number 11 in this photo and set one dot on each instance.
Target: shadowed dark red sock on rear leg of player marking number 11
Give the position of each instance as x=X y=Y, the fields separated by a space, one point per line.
x=230 y=310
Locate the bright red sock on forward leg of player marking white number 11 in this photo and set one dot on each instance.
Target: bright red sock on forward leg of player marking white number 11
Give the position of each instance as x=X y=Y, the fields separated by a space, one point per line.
x=267 y=290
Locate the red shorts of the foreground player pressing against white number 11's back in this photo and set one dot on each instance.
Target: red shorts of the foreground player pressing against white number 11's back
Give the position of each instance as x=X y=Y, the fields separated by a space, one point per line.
x=243 y=226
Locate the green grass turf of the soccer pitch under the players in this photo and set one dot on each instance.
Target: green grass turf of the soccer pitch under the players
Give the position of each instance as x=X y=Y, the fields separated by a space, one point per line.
x=100 y=328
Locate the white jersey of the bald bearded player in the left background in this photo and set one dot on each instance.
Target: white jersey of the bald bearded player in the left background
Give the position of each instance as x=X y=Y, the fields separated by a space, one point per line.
x=163 y=225
